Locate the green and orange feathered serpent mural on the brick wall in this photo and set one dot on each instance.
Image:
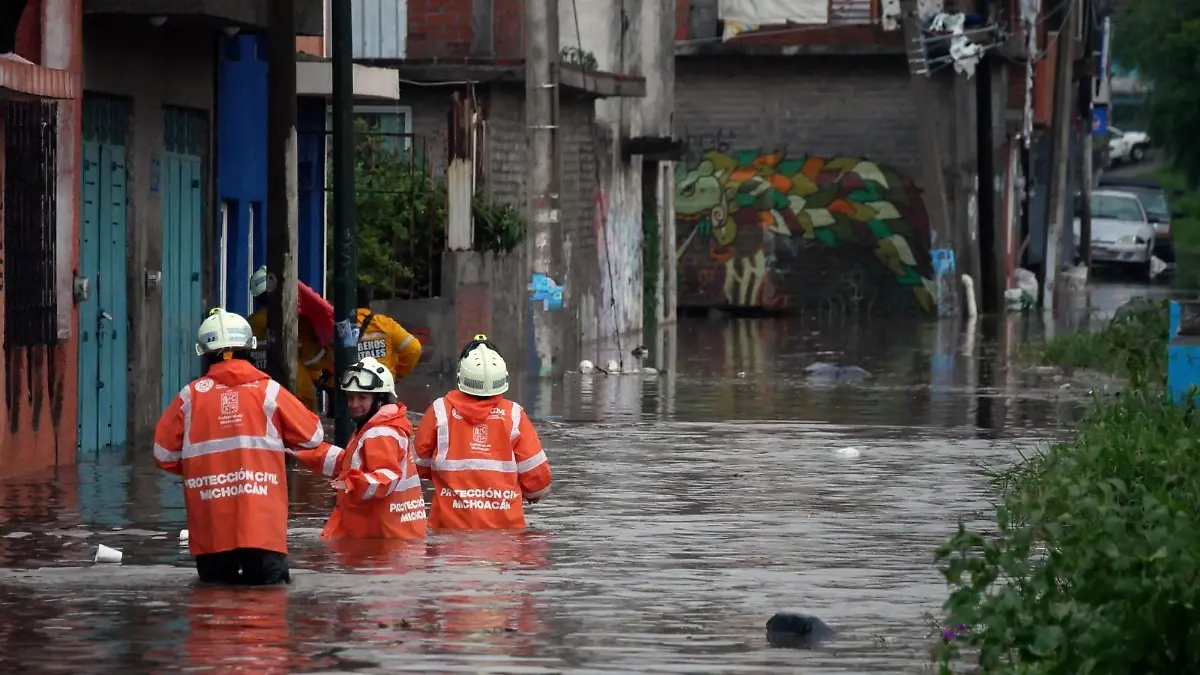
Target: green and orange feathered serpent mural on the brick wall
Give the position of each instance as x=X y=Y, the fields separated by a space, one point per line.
x=835 y=235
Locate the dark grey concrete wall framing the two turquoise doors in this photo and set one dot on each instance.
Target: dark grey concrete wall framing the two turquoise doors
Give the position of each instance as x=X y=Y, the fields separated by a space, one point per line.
x=155 y=68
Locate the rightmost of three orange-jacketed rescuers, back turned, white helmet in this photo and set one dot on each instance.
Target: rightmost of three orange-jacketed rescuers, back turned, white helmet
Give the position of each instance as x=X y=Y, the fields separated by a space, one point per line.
x=481 y=451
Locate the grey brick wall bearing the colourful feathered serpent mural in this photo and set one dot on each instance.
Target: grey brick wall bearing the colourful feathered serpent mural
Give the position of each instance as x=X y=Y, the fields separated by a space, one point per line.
x=800 y=192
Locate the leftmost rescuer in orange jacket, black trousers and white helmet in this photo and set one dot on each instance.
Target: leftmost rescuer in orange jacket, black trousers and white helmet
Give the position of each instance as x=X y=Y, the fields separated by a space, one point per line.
x=226 y=434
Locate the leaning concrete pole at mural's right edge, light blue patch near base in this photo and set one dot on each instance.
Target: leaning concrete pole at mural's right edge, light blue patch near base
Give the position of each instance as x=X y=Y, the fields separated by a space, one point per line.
x=928 y=116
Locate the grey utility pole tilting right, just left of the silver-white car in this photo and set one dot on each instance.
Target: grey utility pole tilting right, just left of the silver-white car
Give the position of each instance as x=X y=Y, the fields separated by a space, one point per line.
x=1060 y=127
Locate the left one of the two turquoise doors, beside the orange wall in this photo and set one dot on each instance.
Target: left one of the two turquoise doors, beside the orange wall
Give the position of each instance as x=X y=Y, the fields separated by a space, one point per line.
x=104 y=316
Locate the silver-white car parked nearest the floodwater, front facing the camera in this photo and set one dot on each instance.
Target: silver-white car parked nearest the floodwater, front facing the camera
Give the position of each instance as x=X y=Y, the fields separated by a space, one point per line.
x=1121 y=232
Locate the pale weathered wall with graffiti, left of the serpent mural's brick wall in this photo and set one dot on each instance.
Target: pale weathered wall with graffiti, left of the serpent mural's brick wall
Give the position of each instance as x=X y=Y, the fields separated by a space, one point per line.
x=631 y=38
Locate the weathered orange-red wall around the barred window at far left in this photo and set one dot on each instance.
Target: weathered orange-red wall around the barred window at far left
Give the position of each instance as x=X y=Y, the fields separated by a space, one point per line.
x=38 y=428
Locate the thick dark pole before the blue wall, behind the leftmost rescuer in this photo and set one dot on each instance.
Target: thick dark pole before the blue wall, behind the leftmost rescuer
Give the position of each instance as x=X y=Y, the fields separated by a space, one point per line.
x=281 y=193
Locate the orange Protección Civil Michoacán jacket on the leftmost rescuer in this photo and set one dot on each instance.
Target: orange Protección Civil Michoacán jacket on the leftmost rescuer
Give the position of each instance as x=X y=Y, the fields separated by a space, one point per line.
x=226 y=434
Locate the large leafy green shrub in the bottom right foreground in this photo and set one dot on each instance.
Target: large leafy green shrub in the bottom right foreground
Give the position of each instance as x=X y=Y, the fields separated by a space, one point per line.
x=1096 y=553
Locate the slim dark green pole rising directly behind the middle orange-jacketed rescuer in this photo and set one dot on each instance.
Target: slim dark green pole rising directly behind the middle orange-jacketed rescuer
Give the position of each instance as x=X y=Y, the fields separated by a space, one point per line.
x=345 y=260
